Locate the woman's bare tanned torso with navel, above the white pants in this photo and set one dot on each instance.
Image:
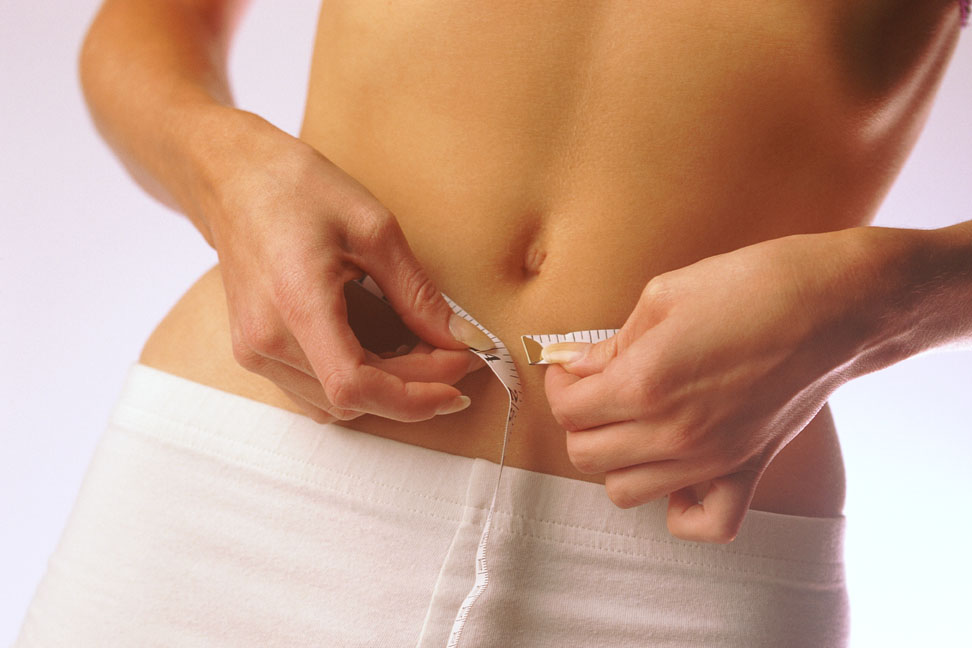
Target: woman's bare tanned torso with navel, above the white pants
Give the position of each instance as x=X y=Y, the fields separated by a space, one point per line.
x=545 y=160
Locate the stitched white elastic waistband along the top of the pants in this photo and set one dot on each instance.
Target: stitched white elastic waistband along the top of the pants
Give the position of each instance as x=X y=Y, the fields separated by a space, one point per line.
x=178 y=411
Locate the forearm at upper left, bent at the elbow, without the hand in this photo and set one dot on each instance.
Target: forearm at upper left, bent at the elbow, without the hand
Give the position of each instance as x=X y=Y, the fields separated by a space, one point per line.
x=154 y=77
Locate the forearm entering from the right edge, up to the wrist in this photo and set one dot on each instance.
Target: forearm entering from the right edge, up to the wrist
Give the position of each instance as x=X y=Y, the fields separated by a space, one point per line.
x=916 y=292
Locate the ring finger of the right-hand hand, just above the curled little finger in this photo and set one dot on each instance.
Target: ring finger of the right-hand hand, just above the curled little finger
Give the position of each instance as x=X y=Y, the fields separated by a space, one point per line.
x=636 y=485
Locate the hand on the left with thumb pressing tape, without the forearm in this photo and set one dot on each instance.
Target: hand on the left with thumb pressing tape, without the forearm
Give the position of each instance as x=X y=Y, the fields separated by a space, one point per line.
x=290 y=229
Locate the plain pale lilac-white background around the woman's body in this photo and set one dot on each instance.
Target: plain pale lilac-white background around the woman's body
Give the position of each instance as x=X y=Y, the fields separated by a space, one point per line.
x=89 y=265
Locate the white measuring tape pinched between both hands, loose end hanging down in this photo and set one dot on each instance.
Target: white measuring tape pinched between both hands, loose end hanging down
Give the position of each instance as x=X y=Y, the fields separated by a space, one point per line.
x=501 y=363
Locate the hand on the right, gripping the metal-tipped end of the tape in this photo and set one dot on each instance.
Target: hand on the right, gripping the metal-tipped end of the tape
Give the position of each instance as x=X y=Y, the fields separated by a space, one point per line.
x=719 y=366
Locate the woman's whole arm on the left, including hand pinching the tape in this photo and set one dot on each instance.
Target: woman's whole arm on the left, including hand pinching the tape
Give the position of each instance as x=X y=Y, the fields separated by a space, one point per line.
x=290 y=227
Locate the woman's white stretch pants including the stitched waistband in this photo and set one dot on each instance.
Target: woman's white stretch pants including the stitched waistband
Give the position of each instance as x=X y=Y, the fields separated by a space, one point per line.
x=208 y=519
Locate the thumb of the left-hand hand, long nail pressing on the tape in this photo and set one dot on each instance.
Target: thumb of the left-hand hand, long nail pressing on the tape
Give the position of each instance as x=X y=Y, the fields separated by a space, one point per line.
x=386 y=256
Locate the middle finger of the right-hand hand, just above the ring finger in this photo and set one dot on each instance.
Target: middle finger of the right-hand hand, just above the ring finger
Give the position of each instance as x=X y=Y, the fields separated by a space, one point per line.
x=618 y=445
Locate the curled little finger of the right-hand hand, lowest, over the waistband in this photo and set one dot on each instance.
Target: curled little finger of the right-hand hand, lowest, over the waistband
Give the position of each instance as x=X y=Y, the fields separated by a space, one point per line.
x=718 y=515
